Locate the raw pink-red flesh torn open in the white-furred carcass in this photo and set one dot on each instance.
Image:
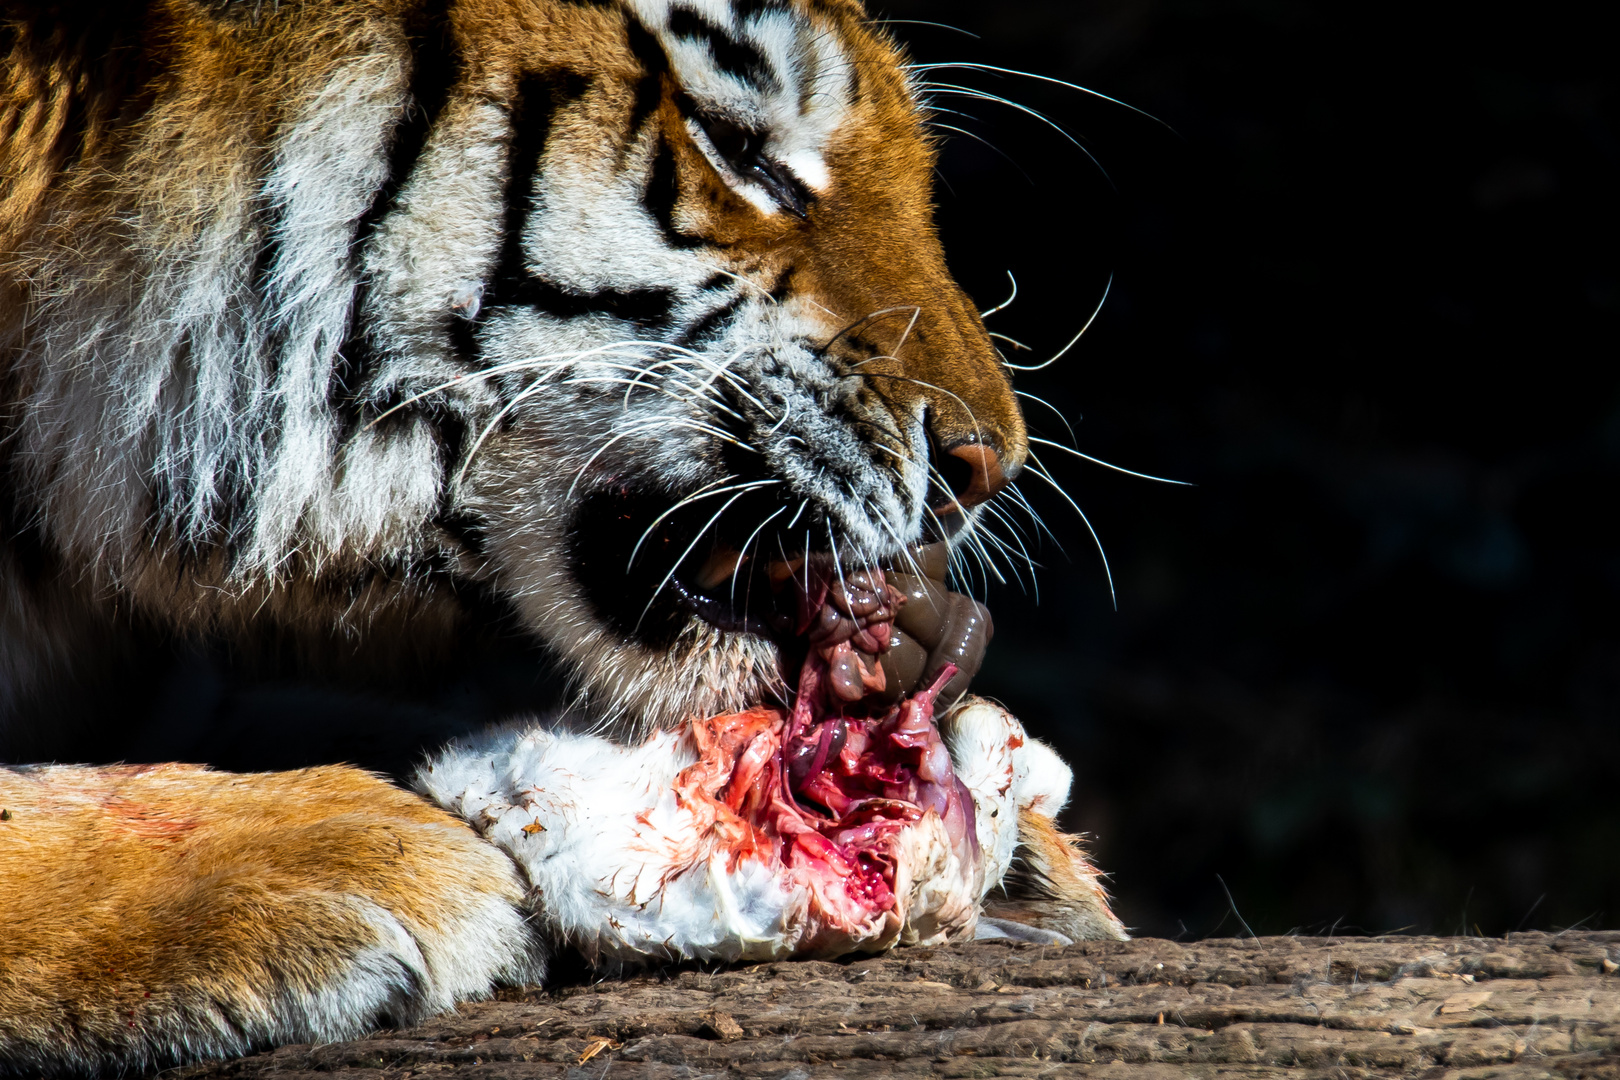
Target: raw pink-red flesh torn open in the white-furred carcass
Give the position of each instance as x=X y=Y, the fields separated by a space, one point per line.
x=837 y=830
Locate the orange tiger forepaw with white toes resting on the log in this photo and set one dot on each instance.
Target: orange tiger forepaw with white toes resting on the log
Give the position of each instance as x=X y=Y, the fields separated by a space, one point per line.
x=166 y=914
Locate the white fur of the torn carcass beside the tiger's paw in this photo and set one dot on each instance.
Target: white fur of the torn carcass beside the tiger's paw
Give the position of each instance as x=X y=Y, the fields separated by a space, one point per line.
x=623 y=869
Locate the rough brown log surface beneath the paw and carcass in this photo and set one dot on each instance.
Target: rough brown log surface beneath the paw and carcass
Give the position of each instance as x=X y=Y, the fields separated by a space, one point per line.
x=1525 y=1008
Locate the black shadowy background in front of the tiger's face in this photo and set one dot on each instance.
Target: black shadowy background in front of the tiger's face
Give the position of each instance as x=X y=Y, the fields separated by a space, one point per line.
x=1366 y=671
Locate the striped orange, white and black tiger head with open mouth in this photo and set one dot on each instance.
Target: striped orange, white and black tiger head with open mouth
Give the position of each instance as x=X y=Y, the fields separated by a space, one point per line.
x=607 y=308
